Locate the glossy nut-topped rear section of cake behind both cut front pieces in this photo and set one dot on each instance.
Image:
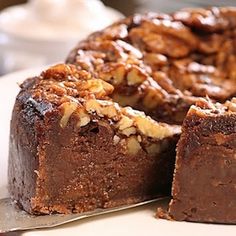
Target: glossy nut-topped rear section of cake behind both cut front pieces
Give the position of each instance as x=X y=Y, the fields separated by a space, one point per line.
x=162 y=64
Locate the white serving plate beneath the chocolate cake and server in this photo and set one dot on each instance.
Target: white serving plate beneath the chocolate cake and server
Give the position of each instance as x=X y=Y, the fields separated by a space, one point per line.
x=137 y=221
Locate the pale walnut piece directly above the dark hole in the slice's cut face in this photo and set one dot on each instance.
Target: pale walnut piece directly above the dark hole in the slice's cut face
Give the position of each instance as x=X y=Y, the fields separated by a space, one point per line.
x=103 y=108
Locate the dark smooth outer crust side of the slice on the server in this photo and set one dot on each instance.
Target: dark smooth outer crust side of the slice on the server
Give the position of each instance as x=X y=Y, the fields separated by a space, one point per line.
x=26 y=131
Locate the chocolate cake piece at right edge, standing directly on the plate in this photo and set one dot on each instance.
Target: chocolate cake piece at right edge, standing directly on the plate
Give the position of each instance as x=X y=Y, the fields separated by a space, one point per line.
x=204 y=186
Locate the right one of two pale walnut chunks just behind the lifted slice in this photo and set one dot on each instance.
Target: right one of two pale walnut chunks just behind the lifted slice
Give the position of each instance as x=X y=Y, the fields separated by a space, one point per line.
x=136 y=76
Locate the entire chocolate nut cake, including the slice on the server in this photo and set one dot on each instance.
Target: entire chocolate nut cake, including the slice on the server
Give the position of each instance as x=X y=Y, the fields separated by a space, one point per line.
x=76 y=145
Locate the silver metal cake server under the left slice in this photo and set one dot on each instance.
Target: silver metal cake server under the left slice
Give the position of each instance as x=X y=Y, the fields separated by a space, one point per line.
x=12 y=218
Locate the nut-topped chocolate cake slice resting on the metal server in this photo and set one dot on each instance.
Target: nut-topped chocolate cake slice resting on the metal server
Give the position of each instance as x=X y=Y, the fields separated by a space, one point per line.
x=72 y=149
